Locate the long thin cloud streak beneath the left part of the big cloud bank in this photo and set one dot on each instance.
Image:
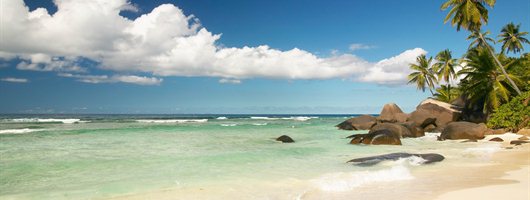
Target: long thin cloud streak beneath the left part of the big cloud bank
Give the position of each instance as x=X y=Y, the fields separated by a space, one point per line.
x=138 y=80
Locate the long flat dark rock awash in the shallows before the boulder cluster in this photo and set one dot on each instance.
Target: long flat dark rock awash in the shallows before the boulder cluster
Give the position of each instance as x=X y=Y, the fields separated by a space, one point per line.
x=373 y=160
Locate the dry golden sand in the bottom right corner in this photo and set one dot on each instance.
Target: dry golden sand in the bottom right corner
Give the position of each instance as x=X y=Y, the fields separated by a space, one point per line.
x=509 y=176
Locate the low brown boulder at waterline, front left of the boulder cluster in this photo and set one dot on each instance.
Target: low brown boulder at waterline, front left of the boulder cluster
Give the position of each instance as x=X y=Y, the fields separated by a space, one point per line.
x=377 y=138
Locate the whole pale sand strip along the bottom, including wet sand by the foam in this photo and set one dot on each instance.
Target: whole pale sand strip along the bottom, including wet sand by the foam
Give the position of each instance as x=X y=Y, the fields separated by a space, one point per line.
x=503 y=173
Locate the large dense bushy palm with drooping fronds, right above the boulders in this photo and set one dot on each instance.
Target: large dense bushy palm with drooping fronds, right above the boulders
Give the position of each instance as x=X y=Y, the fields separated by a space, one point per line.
x=483 y=84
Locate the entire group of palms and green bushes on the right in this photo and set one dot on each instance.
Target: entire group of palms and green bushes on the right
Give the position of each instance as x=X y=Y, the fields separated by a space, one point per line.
x=493 y=85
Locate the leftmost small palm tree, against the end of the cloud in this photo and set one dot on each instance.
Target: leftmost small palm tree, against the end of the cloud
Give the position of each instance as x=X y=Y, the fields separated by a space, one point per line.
x=423 y=74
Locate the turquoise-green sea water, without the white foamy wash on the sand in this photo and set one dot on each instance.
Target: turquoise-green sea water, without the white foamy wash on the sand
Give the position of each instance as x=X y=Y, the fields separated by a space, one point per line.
x=101 y=157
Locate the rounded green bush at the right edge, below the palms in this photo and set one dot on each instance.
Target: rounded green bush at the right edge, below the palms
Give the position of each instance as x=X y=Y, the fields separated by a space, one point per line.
x=513 y=115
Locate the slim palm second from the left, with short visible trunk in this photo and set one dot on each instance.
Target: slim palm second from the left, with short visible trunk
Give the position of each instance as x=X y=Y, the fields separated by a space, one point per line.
x=445 y=68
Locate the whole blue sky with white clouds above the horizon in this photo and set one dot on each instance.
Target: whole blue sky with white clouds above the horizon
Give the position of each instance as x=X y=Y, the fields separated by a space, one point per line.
x=223 y=57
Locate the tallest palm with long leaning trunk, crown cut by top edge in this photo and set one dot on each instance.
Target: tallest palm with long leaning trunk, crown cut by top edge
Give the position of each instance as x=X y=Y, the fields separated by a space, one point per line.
x=470 y=14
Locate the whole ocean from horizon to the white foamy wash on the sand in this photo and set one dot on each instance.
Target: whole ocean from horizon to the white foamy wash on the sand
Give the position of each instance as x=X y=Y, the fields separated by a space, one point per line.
x=209 y=157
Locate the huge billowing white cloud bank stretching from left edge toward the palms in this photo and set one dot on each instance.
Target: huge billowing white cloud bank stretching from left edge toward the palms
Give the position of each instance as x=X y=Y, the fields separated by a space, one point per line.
x=163 y=42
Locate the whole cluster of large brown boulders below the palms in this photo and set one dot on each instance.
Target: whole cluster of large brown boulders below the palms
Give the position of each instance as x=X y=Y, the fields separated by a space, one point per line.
x=430 y=116
